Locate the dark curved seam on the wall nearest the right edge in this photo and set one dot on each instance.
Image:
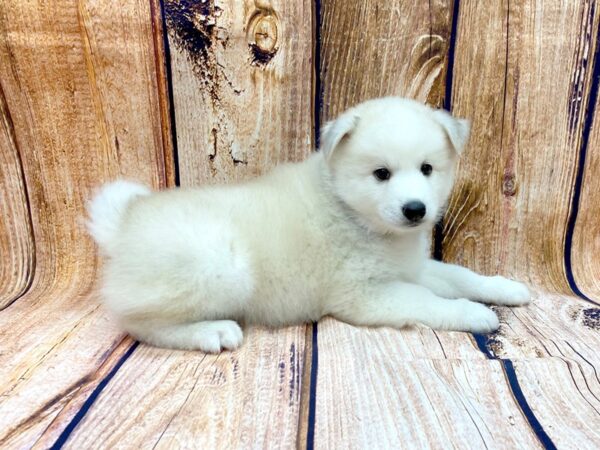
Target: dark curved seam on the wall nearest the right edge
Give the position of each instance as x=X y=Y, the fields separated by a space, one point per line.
x=587 y=127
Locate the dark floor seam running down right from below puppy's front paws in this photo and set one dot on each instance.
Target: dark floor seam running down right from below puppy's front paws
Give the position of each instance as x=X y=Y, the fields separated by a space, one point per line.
x=482 y=341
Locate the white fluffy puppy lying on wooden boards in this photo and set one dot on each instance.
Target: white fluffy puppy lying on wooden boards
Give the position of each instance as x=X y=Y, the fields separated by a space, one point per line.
x=345 y=233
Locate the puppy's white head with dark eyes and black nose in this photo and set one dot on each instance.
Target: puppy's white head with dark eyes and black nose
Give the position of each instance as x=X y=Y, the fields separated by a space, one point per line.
x=392 y=161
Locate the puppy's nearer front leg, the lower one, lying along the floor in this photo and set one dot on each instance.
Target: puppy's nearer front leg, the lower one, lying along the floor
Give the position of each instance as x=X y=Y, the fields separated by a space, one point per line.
x=399 y=304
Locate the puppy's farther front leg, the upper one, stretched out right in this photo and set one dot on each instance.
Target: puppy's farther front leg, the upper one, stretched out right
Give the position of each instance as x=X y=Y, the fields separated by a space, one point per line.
x=453 y=281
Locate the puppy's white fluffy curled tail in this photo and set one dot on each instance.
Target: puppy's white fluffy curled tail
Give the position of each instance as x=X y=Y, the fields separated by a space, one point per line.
x=107 y=208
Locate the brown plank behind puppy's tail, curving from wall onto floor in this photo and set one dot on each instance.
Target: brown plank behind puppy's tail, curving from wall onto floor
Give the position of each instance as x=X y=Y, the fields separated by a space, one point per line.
x=78 y=122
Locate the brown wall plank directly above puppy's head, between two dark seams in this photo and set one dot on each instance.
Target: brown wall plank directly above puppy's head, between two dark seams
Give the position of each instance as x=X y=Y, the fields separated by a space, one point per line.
x=372 y=49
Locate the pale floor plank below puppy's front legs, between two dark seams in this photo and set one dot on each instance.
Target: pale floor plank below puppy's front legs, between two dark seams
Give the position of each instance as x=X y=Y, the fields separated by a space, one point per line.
x=372 y=394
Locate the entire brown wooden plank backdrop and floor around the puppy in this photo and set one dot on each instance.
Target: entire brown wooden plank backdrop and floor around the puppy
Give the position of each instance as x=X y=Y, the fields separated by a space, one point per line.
x=197 y=92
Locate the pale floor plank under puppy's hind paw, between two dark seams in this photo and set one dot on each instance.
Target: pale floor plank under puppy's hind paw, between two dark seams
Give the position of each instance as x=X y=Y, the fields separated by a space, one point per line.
x=167 y=399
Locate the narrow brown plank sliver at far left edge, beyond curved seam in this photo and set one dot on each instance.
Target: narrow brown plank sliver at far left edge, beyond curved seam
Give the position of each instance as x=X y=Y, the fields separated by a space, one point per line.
x=17 y=253
